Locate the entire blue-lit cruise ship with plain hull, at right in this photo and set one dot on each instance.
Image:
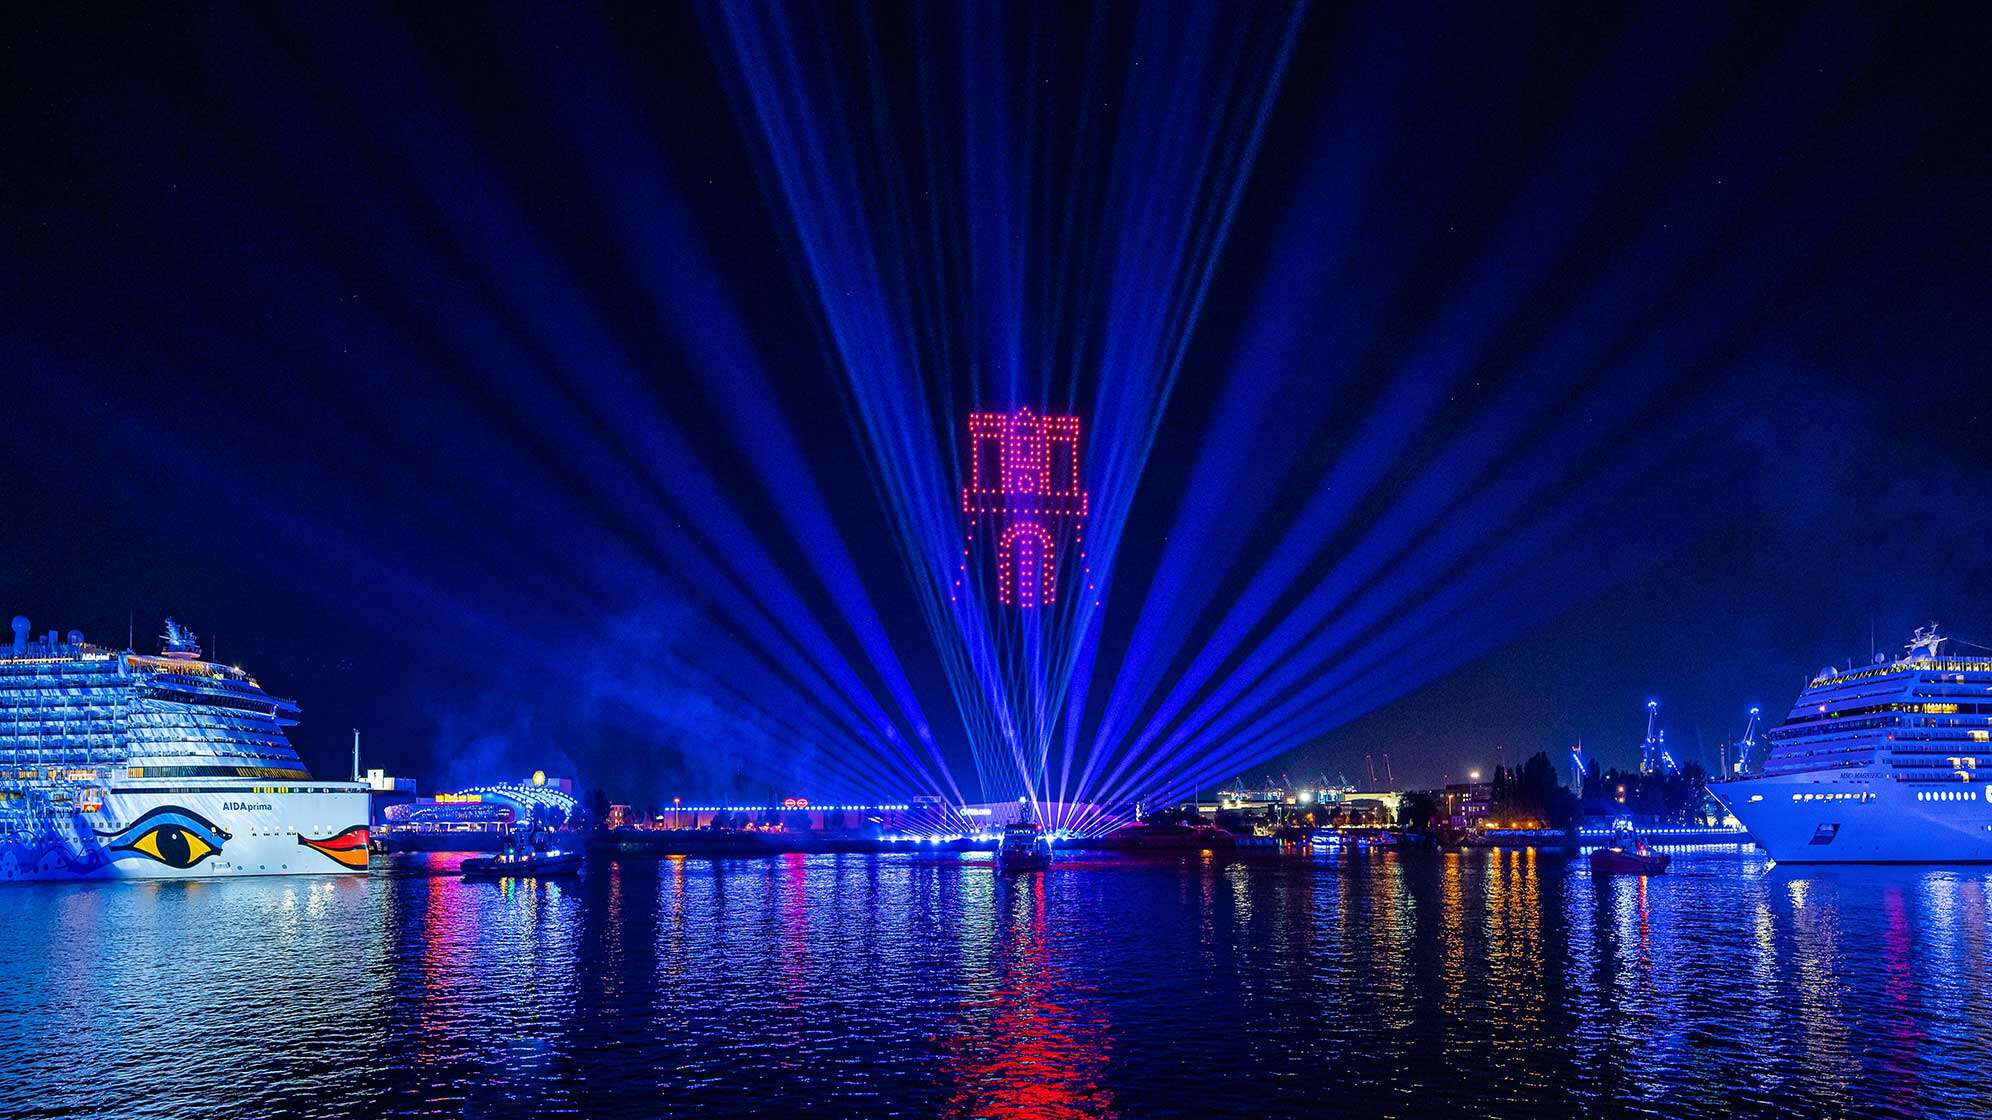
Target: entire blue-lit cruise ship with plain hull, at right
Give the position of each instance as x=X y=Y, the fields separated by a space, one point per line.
x=1885 y=764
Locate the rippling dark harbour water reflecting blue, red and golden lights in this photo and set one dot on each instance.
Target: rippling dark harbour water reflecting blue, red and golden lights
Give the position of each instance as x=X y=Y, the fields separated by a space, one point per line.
x=1503 y=983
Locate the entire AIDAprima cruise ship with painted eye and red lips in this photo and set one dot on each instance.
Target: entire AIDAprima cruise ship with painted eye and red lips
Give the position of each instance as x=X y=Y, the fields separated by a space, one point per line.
x=130 y=766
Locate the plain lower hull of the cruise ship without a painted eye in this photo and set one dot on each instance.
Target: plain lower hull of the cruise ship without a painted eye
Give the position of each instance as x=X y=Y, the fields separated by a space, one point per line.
x=1864 y=818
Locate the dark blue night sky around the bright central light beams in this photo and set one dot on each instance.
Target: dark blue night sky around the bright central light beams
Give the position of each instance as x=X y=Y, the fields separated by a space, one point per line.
x=304 y=320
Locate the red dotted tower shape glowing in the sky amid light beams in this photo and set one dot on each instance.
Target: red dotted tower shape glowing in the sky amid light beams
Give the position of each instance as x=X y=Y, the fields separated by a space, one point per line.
x=1027 y=499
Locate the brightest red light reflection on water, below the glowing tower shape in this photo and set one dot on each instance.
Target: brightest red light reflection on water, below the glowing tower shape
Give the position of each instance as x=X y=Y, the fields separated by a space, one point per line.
x=1037 y=1049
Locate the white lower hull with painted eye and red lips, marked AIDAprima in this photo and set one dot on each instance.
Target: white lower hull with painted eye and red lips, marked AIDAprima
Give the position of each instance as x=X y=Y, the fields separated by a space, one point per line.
x=194 y=830
